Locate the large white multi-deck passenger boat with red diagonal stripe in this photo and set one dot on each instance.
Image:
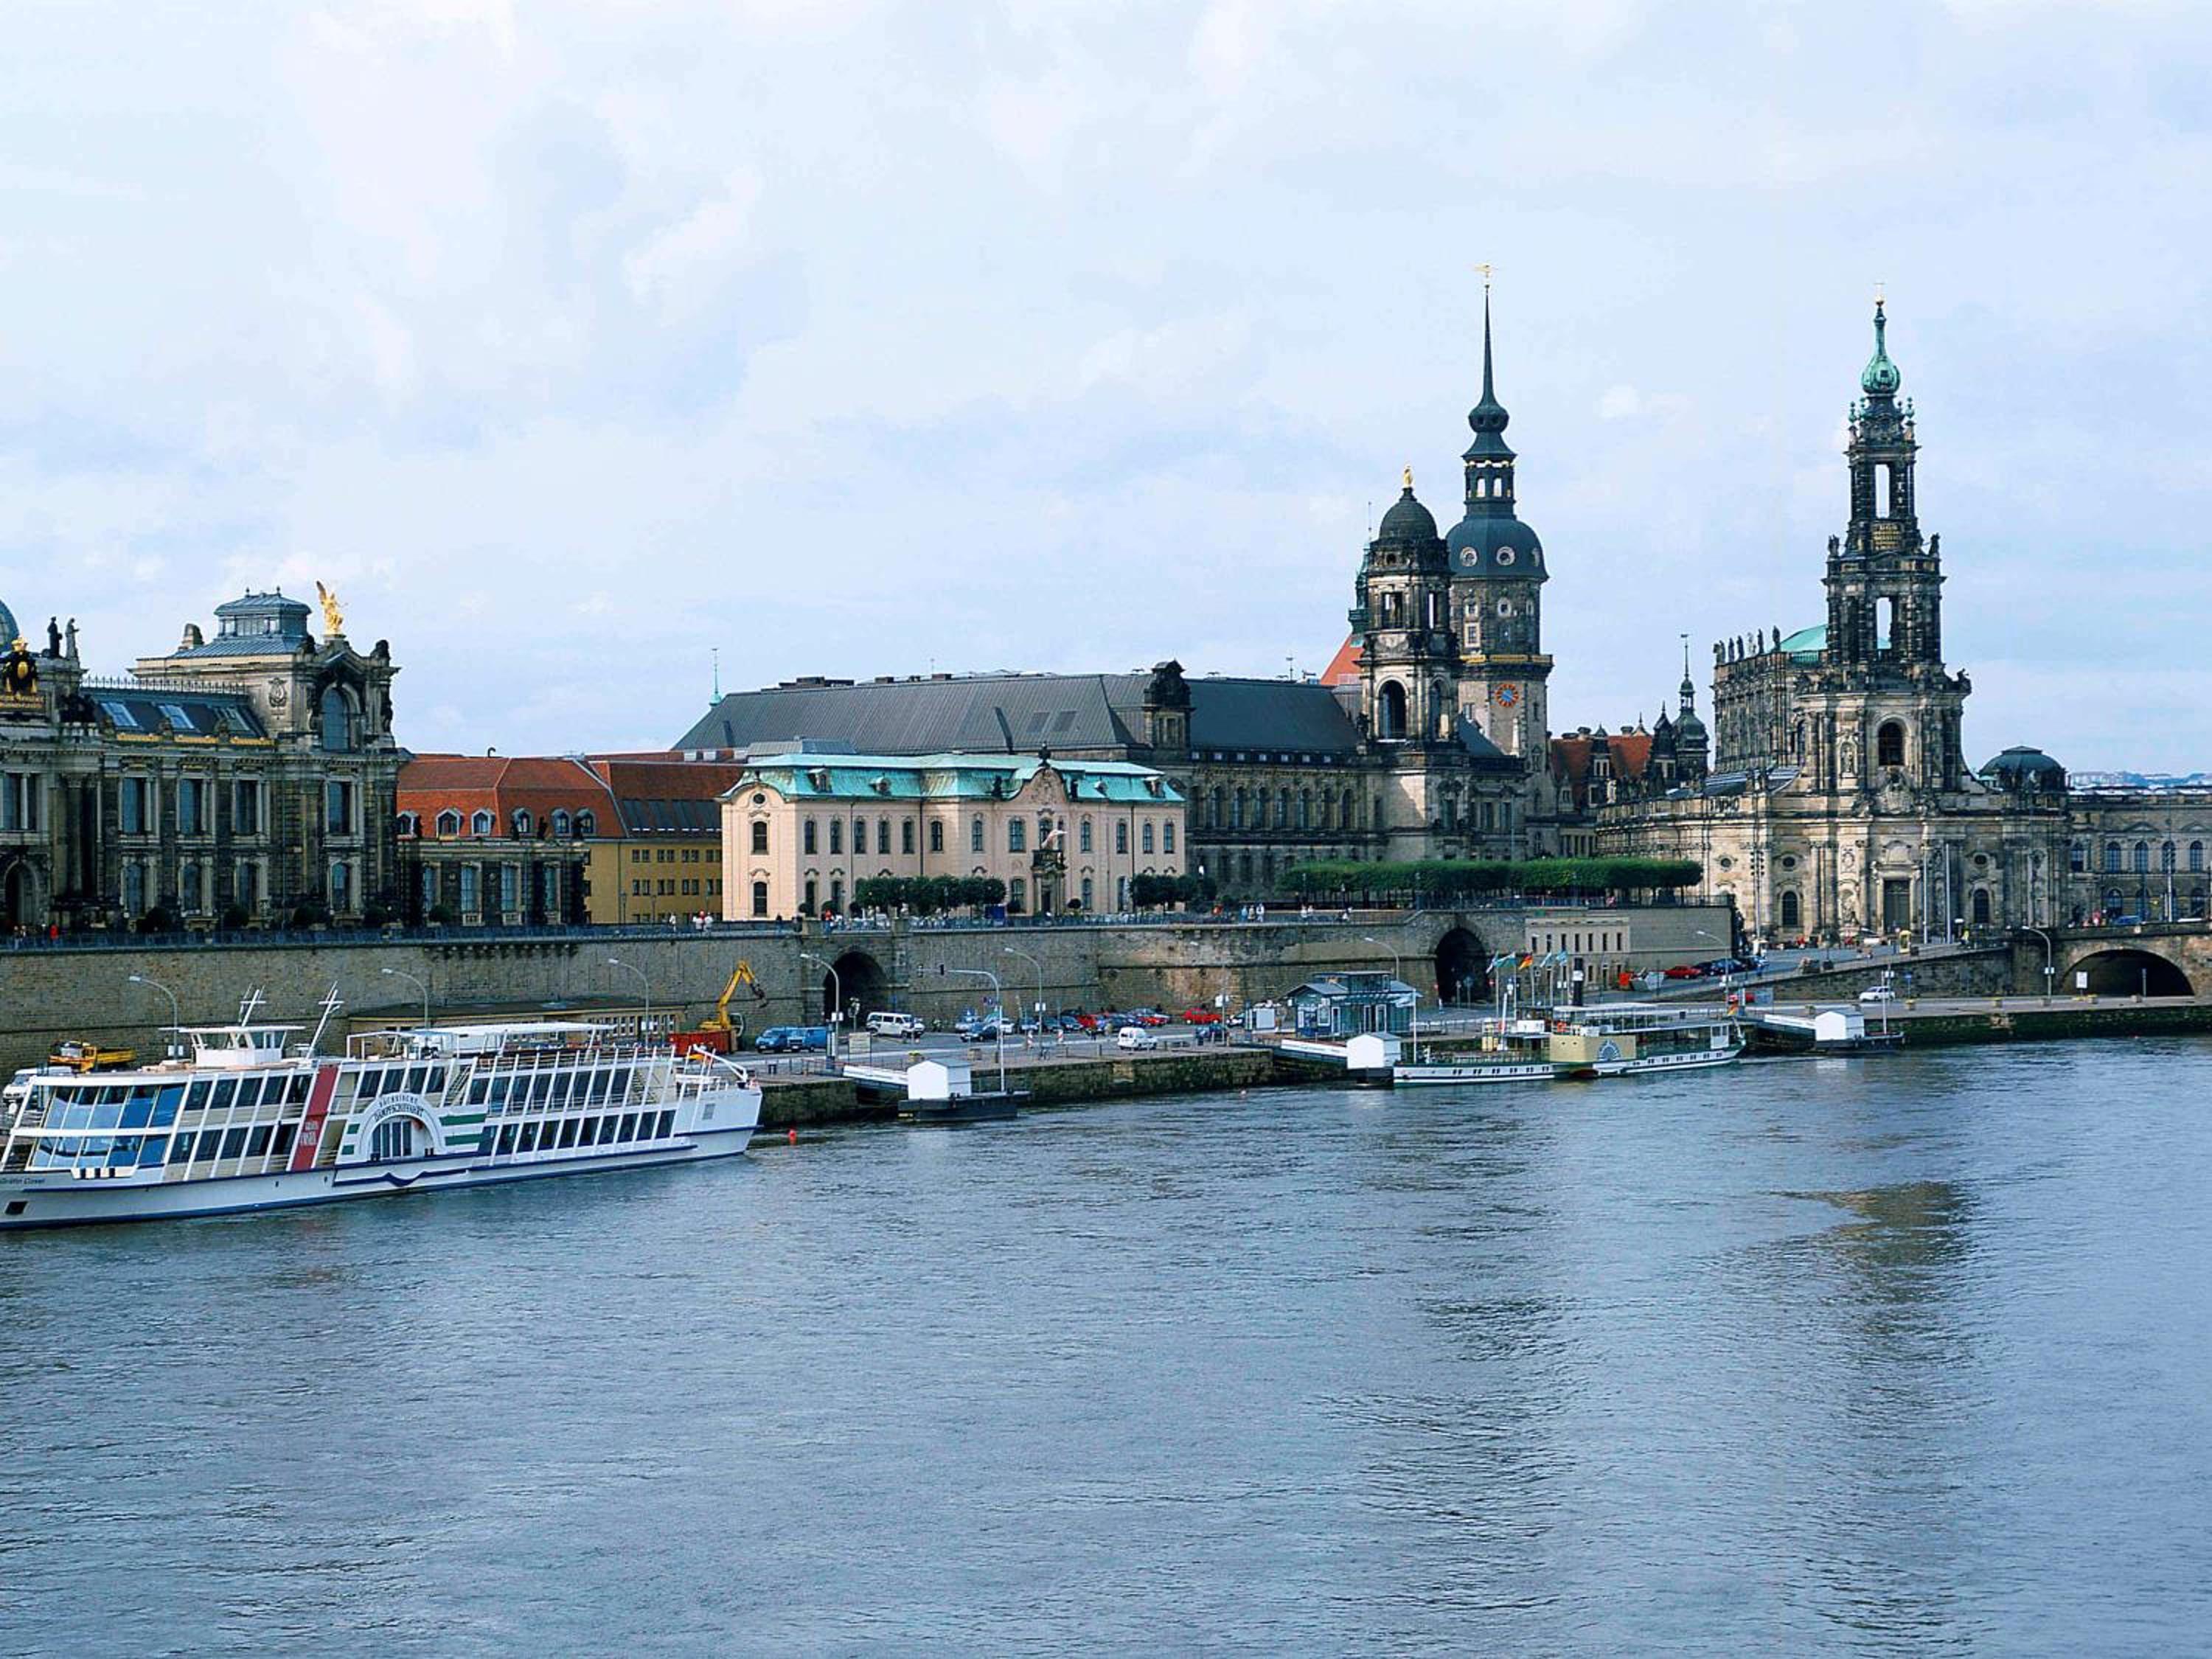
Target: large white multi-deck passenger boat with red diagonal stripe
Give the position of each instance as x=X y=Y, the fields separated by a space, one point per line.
x=253 y=1120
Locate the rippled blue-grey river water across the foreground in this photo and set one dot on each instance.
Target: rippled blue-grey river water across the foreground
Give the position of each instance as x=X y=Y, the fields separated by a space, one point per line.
x=1808 y=1357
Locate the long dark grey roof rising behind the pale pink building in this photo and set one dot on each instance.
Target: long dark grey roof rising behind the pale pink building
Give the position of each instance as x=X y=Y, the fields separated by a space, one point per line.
x=1019 y=716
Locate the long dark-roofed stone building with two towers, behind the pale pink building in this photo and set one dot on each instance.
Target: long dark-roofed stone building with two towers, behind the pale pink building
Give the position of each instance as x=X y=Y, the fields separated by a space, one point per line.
x=1423 y=740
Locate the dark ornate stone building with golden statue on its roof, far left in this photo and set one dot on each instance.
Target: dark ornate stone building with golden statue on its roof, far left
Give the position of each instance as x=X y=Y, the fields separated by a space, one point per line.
x=240 y=780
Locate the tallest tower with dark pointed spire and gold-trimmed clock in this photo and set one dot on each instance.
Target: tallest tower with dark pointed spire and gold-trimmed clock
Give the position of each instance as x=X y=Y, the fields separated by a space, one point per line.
x=1496 y=587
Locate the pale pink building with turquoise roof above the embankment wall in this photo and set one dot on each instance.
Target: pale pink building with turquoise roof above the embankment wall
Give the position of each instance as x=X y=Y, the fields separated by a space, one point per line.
x=804 y=831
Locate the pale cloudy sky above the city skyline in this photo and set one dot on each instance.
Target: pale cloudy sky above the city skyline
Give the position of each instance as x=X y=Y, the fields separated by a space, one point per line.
x=576 y=342
